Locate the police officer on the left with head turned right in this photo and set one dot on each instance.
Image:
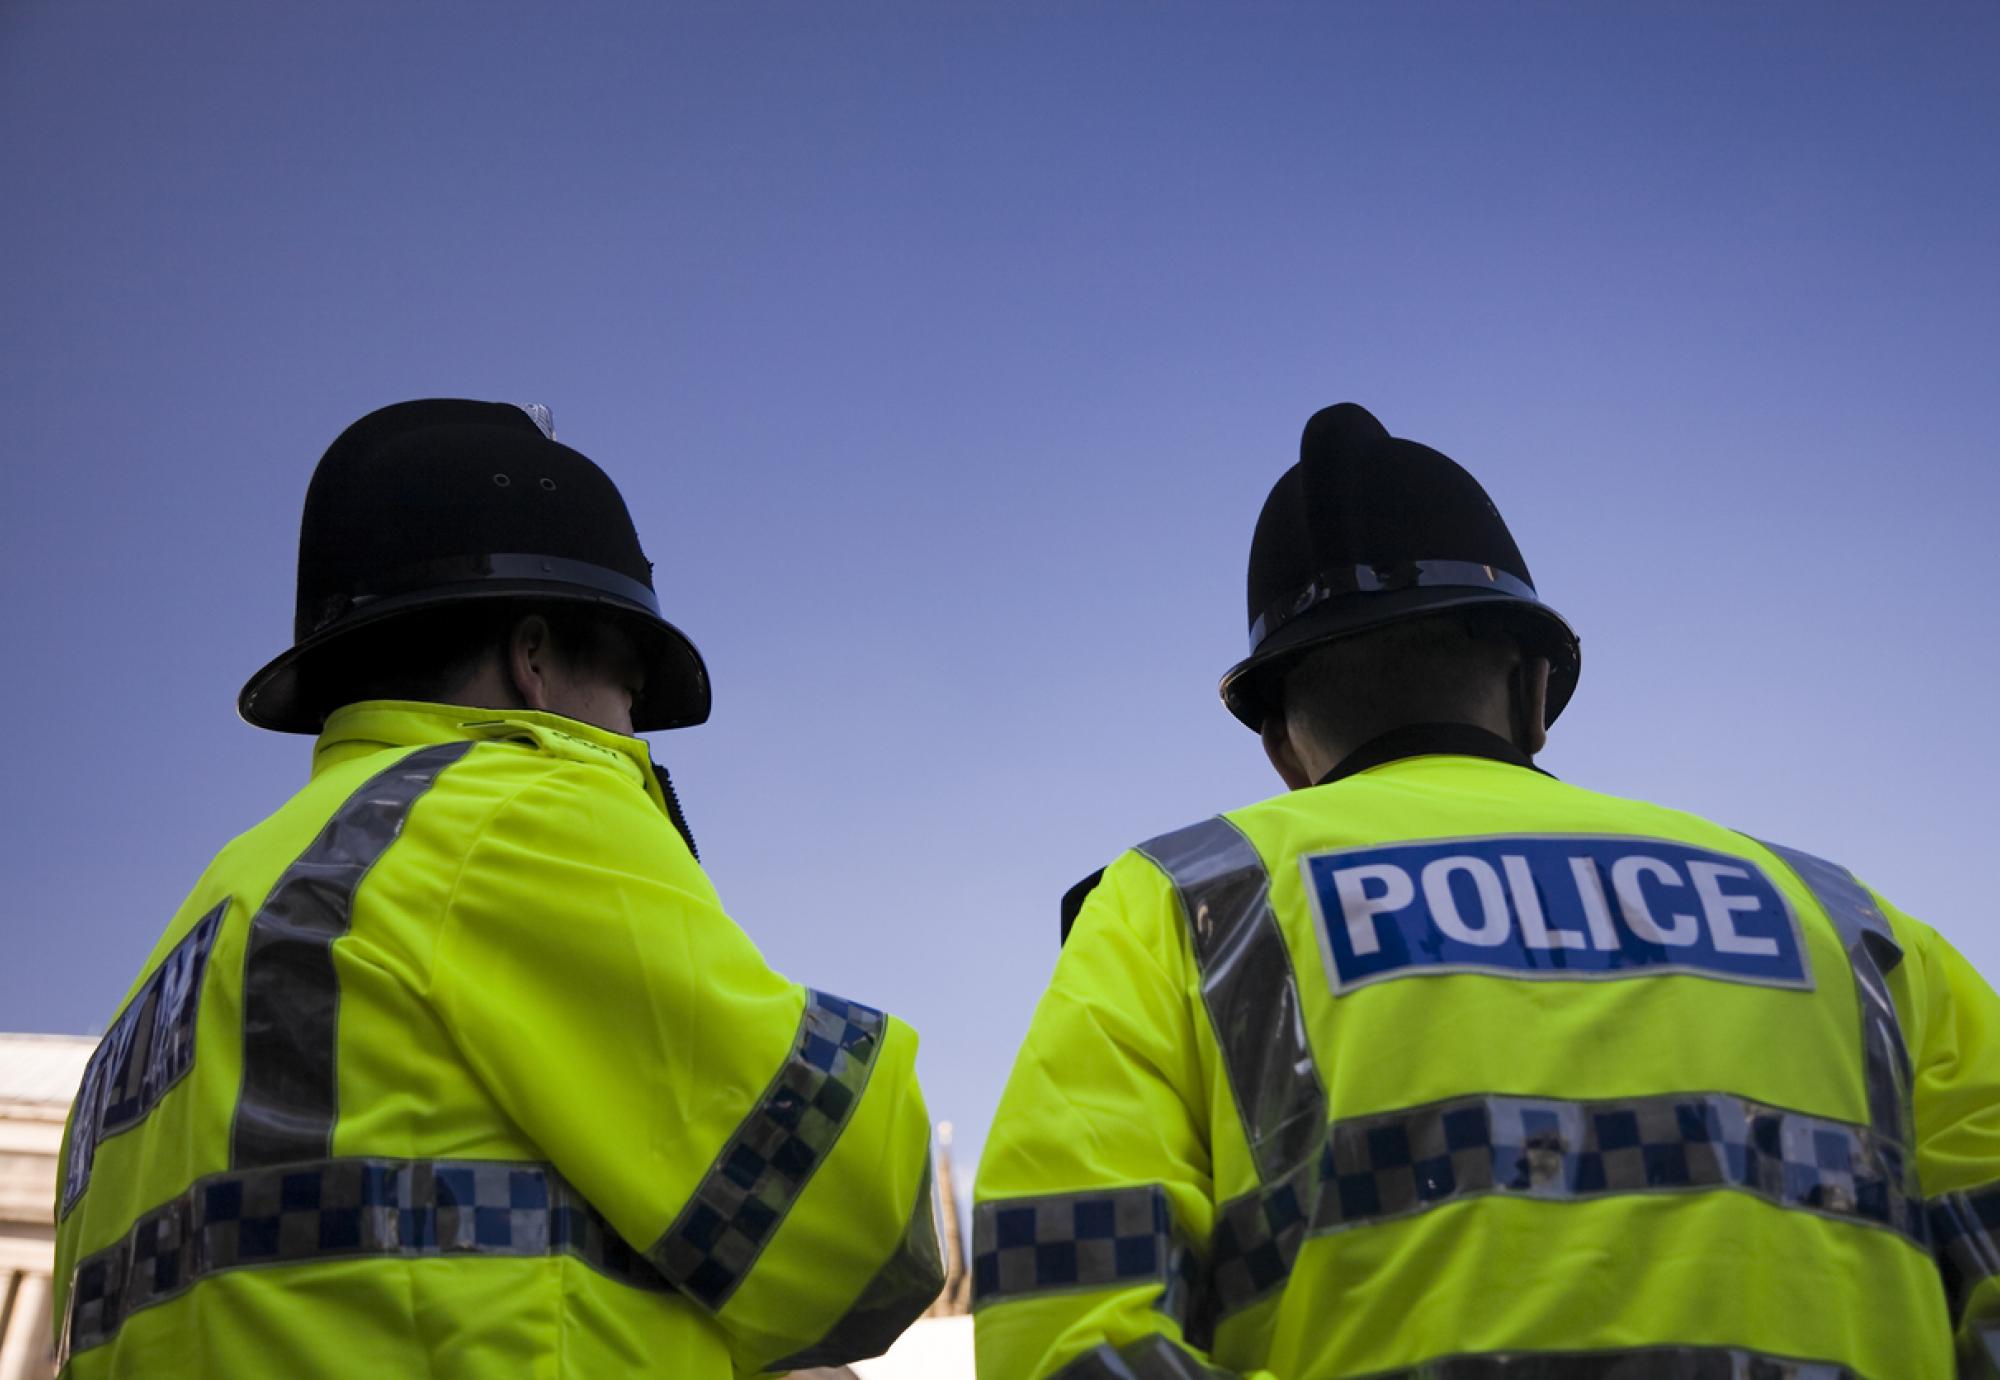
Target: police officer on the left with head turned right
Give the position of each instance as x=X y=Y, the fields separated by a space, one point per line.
x=455 y=1065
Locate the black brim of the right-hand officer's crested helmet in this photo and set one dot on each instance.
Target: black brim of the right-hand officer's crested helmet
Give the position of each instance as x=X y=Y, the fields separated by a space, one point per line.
x=1251 y=687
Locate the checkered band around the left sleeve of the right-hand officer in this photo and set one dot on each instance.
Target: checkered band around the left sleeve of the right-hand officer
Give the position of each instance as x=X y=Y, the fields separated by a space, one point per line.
x=1085 y=1241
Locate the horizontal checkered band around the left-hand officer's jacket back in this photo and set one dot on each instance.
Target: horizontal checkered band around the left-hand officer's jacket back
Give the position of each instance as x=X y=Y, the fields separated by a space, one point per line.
x=339 y=1211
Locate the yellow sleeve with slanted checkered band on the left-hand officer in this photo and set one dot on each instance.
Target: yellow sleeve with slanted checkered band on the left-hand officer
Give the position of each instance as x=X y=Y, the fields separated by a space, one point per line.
x=763 y=1145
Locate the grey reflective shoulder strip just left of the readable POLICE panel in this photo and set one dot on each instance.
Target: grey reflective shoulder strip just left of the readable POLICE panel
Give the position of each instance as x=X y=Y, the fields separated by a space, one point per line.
x=1249 y=989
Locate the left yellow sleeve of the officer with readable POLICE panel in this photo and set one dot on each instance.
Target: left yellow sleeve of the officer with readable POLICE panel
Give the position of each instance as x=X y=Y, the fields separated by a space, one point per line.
x=1095 y=1193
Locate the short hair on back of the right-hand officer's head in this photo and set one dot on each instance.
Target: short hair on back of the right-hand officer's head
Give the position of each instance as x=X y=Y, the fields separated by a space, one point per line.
x=1443 y=669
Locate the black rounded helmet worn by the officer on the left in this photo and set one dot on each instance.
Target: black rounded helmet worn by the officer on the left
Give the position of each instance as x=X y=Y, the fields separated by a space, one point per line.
x=445 y=501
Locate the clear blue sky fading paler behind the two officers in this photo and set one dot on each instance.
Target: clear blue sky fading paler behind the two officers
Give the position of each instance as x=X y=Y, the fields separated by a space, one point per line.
x=947 y=353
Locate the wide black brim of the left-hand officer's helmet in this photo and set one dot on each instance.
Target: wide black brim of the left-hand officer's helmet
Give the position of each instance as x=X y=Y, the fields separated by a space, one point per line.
x=289 y=693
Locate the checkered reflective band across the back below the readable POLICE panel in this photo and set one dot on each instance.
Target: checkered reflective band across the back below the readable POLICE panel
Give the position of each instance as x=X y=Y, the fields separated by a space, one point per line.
x=1403 y=1163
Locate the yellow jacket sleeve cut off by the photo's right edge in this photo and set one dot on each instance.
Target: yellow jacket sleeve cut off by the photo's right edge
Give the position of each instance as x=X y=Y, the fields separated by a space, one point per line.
x=1957 y=1095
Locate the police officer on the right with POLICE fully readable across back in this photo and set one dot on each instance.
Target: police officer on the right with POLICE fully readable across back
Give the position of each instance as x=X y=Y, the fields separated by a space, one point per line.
x=1443 y=1069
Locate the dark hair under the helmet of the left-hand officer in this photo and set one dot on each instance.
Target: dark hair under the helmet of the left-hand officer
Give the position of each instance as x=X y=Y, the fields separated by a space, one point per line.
x=433 y=655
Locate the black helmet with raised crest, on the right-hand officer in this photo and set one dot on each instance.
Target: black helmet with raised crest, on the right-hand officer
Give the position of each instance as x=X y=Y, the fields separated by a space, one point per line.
x=1371 y=531
